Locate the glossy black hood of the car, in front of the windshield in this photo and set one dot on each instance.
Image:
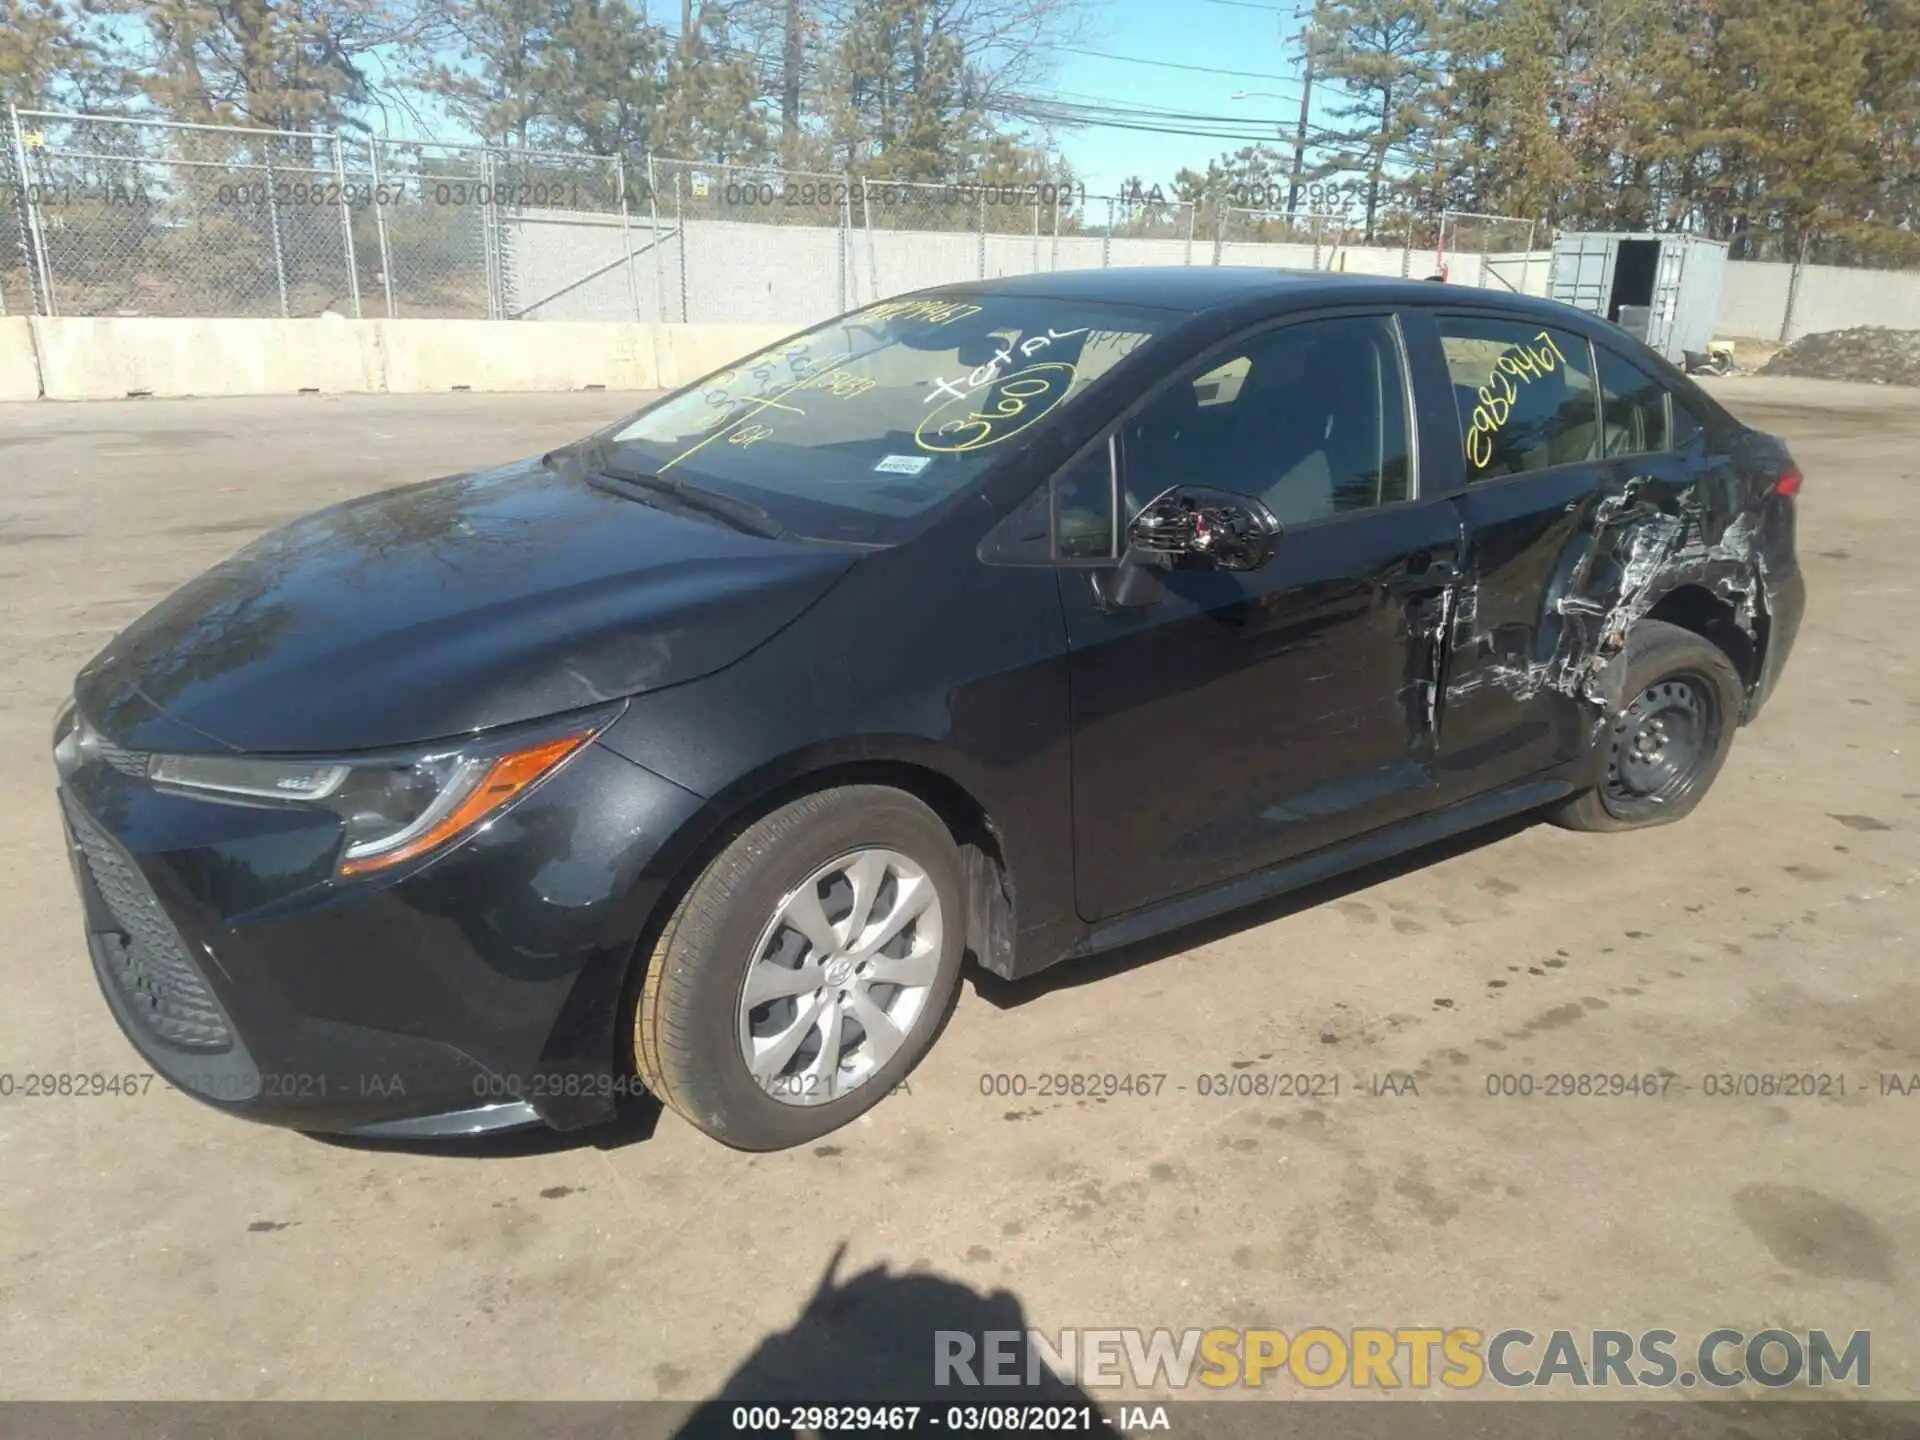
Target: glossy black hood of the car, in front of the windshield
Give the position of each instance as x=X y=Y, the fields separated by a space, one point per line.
x=444 y=608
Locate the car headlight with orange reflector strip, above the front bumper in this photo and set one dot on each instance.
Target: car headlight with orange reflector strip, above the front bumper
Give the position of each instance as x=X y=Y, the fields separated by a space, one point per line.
x=395 y=807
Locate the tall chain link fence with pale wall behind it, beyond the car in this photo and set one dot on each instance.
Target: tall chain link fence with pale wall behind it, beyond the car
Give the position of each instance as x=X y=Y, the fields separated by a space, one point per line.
x=118 y=216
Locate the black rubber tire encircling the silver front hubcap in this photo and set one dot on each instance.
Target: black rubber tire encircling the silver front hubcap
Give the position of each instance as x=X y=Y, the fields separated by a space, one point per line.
x=688 y=1026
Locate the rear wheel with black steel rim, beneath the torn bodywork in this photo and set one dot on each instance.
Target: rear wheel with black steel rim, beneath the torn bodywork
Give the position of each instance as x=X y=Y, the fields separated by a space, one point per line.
x=1681 y=696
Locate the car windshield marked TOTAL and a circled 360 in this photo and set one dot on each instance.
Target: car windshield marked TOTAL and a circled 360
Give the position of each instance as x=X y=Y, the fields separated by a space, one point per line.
x=859 y=429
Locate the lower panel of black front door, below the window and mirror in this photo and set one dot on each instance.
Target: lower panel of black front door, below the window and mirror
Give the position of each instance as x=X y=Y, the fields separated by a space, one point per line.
x=1247 y=719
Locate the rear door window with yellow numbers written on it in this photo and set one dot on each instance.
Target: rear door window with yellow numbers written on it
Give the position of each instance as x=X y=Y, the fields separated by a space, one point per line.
x=1525 y=395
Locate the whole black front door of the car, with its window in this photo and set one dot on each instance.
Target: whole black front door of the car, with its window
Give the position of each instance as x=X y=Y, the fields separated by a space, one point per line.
x=1247 y=717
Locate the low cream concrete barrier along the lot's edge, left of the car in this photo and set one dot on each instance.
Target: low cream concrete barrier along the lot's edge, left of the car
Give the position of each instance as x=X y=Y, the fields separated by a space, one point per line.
x=116 y=358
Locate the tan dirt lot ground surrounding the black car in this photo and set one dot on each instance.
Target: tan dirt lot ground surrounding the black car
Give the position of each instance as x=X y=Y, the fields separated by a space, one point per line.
x=151 y=1247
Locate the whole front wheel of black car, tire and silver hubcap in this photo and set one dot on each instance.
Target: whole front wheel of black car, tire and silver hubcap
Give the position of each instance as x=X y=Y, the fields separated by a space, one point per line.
x=807 y=971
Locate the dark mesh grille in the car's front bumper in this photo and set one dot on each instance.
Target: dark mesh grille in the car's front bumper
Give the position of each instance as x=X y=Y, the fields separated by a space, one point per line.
x=147 y=955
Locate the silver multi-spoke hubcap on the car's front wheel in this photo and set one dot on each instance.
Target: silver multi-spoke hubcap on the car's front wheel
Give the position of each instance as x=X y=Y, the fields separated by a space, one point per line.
x=840 y=976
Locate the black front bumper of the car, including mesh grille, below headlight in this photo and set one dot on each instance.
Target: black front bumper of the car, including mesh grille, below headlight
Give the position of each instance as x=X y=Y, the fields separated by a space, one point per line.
x=475 y=992
